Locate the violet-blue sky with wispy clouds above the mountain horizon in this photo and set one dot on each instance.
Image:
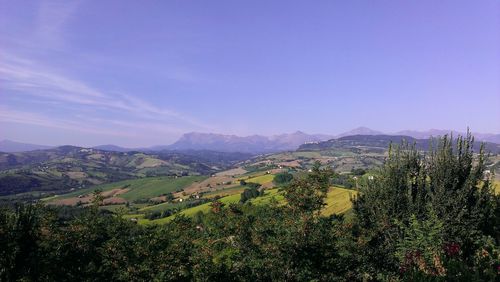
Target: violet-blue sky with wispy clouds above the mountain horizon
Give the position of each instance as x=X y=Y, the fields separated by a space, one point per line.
x=141 y=73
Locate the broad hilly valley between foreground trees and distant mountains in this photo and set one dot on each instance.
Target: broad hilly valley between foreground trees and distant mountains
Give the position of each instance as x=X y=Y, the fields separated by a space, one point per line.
x=154 y=187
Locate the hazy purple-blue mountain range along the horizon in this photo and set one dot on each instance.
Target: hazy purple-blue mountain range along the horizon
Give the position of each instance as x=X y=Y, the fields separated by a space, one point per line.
x=254 y=144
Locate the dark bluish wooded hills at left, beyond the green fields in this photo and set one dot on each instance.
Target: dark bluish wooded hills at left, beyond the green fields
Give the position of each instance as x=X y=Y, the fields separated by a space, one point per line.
x=68 y=167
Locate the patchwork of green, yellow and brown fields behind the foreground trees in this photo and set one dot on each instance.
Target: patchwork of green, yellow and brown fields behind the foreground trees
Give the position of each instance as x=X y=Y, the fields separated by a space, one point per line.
x=193 y=194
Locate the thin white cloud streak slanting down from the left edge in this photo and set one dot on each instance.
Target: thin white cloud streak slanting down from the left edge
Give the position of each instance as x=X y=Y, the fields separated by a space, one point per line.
x=29 y=79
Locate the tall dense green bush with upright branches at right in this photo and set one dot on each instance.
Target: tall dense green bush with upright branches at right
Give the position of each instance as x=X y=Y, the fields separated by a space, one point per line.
x=449 y=182
